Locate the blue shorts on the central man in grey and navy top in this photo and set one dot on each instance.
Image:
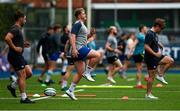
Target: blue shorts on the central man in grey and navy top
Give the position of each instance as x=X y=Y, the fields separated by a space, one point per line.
x=83 y=52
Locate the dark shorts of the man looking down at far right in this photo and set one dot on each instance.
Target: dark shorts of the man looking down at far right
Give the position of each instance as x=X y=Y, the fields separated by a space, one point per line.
x=152 y=63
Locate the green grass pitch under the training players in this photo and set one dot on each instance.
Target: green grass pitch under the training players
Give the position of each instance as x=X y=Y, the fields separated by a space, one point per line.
x=105 y=99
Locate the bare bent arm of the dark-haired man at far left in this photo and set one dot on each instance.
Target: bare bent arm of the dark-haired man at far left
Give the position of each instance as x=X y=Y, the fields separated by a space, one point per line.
x=8 y=40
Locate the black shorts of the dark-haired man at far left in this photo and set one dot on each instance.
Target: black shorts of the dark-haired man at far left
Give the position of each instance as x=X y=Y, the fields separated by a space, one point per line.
x=17 y=61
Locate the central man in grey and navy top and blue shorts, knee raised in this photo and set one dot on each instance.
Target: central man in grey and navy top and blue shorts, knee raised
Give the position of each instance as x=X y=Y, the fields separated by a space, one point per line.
x=80 y=52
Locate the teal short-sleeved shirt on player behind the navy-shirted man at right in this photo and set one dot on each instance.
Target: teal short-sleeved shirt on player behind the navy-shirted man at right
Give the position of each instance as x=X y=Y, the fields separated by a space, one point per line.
x=139 y=49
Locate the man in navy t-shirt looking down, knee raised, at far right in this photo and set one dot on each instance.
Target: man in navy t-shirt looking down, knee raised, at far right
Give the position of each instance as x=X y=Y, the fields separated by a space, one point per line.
x=153 y=56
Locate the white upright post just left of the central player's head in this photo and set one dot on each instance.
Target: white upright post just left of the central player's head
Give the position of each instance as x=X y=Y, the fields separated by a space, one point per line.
x=70 y=13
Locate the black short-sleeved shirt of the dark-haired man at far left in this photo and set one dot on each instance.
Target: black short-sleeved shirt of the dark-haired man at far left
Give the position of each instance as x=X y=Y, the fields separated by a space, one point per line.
x=17 y=39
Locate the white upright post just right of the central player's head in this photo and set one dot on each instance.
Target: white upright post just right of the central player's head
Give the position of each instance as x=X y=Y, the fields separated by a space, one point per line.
x=88 y=14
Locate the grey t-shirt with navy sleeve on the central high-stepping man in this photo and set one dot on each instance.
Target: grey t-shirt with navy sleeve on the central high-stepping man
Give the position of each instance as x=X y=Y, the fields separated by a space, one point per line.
x=80 y=30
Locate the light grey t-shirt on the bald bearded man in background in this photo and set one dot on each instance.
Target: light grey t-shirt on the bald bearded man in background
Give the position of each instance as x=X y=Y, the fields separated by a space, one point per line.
x=113 y=44
